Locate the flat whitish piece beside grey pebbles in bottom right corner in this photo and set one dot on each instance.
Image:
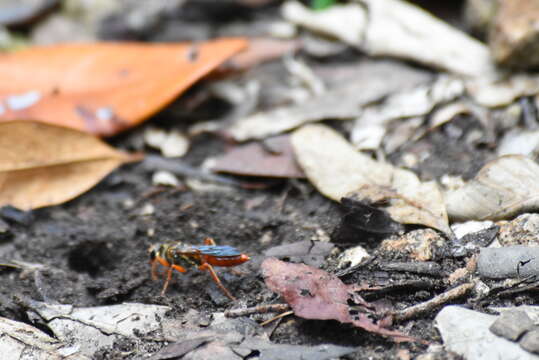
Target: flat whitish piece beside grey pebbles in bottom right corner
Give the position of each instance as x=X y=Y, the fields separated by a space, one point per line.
x=466 y=332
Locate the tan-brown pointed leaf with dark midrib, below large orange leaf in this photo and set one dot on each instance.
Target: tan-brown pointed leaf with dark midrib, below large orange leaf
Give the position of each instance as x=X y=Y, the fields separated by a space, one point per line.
x=43 y=165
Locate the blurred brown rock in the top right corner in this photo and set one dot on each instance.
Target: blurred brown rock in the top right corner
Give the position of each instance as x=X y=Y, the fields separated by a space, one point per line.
x=514 y=34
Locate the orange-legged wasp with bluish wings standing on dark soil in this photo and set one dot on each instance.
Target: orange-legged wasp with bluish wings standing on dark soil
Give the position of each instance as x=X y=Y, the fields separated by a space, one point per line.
x=180 y=257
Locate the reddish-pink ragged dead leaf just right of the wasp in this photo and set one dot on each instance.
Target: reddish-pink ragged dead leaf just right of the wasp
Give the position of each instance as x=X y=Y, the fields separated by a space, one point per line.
x=315 y=294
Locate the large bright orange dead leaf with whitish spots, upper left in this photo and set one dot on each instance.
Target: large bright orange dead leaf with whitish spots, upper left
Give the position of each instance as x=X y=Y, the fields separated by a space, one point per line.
x=103 y=88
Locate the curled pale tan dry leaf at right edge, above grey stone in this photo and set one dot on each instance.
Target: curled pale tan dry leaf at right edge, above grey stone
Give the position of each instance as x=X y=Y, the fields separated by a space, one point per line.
x=504 y=187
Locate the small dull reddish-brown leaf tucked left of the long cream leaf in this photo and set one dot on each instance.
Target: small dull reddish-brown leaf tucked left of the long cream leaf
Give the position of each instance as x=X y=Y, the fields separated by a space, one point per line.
x=273 y=158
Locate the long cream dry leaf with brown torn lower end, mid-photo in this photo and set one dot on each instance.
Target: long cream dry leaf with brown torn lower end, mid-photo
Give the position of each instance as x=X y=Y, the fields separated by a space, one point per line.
x=337 y=170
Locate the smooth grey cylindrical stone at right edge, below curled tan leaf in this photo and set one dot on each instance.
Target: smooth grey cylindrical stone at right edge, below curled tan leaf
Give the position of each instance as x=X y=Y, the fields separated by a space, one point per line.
x=508 y=262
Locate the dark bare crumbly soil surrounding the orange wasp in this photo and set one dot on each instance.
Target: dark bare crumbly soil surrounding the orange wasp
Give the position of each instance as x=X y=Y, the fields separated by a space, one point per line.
x=94 y=252
